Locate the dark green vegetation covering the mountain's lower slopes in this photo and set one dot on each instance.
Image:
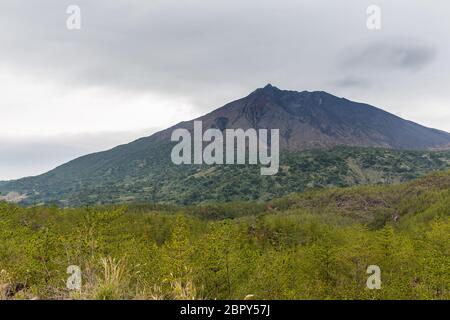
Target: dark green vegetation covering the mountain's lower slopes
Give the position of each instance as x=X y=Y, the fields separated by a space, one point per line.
x=152 y=178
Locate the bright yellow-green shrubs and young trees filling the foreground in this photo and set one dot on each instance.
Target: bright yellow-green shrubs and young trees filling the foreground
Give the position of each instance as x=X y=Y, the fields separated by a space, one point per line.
x=312 y=245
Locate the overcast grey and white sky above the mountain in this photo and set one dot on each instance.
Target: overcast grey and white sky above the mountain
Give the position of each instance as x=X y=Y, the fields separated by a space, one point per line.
x=136 y=67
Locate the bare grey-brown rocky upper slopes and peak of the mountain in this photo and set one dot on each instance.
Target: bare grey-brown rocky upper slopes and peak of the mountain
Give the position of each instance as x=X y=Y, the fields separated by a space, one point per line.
x=318 y=119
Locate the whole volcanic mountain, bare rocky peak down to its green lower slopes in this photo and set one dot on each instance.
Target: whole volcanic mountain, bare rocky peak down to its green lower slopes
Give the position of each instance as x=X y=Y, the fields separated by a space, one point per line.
x=142 y=170
